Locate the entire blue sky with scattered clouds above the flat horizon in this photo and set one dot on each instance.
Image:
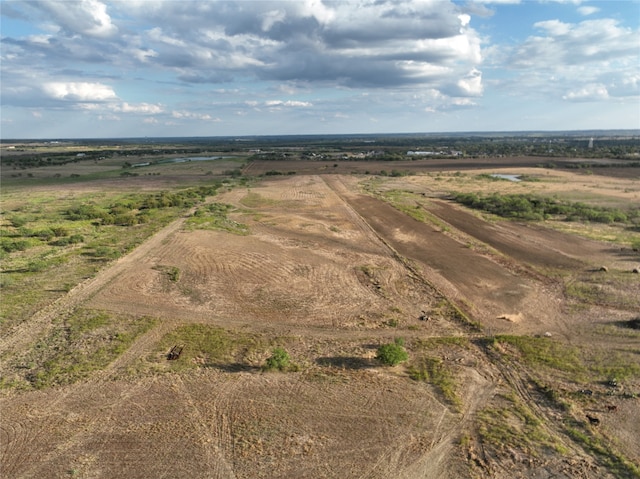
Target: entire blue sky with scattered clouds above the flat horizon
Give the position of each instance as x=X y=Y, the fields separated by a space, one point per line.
x=155 y=68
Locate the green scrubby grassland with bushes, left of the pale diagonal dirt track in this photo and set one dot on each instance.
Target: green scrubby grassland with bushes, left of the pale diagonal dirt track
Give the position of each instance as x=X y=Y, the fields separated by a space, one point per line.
x=48 y=245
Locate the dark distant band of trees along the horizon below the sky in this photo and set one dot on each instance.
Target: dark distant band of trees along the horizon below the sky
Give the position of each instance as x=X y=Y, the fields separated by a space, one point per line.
x=379 y=148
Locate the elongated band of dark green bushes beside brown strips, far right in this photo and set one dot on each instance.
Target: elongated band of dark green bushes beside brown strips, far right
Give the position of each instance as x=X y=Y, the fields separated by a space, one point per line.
x=533 y=207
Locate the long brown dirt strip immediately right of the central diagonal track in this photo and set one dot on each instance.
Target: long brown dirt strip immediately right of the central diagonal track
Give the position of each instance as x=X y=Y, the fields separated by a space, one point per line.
x=483 y=288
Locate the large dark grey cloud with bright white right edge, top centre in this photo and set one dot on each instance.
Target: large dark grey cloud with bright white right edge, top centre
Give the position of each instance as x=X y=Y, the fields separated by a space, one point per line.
x=355 y=44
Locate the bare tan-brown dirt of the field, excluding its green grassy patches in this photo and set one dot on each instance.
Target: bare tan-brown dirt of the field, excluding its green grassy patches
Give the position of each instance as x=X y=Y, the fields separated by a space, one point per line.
x=334 y=273
